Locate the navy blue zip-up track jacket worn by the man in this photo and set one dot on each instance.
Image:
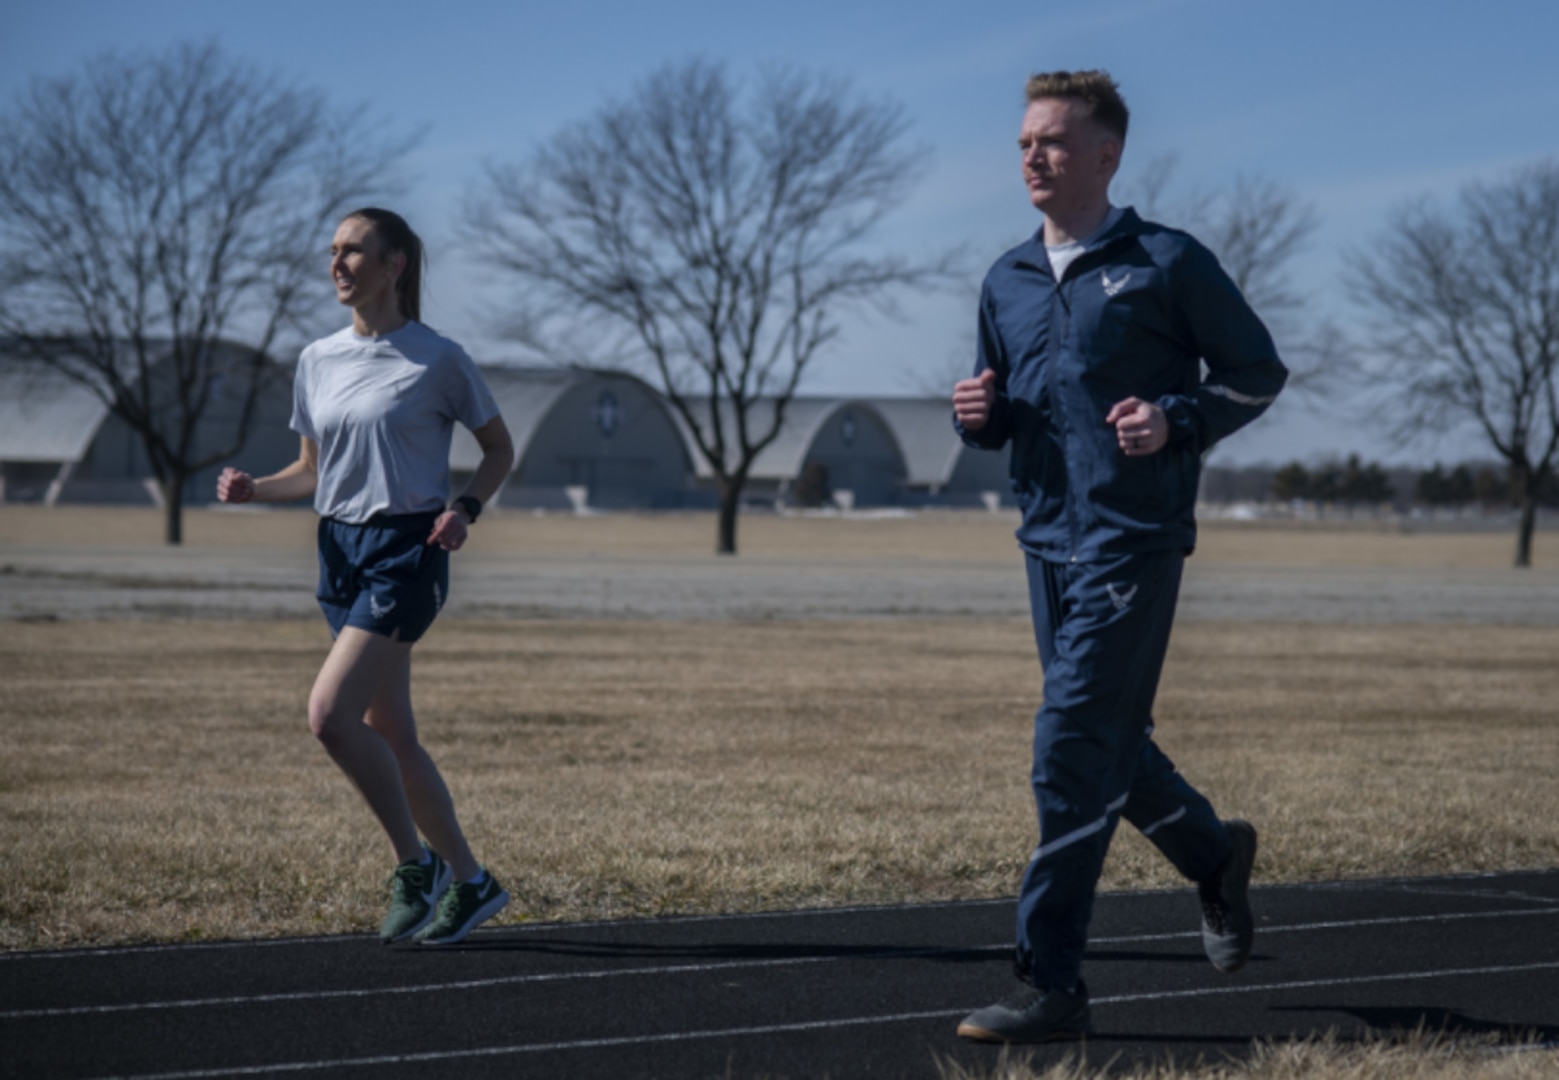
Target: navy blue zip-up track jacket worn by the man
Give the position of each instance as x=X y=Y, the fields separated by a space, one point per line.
x=1137 y=314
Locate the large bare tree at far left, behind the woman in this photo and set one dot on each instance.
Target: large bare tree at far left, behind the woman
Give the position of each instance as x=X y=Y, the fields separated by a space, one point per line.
x=161 y=222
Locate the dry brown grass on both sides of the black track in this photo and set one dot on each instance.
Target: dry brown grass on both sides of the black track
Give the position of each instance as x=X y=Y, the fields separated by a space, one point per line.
x=158 y=782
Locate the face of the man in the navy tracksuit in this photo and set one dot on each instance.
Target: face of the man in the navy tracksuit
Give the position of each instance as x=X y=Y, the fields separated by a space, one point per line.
x=1067 y=158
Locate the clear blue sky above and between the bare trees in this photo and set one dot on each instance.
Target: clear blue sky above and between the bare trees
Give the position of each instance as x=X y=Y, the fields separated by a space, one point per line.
x=1357 y=107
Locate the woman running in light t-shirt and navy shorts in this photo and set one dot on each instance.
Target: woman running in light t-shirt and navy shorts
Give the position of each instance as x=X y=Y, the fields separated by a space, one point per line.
x=375 y=408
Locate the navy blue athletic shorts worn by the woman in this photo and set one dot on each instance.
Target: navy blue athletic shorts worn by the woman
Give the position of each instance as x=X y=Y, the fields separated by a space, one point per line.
x=383 y=576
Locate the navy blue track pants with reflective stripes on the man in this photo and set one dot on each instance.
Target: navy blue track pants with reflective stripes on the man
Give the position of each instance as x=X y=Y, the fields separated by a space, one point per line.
x=1103 y=630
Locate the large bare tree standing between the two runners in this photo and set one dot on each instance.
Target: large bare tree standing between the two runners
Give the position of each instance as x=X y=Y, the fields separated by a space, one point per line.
x=709 y=233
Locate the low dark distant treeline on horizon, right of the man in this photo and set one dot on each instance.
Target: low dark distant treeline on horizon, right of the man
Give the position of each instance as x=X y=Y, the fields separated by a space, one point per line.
x=1354 y=482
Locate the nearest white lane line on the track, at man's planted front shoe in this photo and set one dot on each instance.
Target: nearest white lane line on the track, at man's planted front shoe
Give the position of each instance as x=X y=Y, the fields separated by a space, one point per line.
x=804 y=1026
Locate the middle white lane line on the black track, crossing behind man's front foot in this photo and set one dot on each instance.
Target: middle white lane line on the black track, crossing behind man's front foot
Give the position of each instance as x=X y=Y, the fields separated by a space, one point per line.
x=721 y=965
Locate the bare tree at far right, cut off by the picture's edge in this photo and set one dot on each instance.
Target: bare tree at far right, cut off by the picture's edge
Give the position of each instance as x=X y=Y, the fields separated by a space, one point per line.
x=1466 y=317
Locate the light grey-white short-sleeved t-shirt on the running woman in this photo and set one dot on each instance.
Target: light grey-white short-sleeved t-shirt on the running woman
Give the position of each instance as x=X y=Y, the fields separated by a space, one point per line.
x=383 y=412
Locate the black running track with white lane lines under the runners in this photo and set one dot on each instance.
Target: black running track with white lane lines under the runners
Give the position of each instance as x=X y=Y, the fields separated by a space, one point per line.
x=849 y=994
